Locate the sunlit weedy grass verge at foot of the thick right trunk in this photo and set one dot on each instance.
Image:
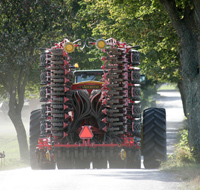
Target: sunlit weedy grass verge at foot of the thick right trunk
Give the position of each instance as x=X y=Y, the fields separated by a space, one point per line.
x=182 y=164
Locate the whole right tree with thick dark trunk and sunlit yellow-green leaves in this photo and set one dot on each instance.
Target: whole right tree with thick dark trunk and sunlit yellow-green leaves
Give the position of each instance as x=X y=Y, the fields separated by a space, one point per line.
x=168 y=32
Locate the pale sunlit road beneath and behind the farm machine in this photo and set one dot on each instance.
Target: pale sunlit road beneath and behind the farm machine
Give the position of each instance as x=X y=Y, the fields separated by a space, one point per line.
x=98 y=179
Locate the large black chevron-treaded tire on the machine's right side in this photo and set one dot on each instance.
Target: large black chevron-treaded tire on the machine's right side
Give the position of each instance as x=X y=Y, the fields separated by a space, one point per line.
x=154 y=137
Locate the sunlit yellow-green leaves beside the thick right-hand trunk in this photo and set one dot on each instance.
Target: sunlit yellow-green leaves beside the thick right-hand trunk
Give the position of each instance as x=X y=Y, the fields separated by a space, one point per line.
x=139 y=23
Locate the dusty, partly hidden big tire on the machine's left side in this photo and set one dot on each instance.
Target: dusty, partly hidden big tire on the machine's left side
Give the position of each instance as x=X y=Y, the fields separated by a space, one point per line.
x=34 y=133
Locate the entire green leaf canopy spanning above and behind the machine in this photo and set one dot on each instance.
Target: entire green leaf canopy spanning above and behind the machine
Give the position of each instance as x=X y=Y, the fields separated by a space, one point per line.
x=27 y=25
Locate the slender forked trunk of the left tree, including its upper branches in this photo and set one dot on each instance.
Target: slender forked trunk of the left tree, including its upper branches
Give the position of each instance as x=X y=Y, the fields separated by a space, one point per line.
x=16 y=101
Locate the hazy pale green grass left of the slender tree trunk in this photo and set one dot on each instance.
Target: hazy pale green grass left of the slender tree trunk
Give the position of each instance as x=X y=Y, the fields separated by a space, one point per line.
x=12 y=160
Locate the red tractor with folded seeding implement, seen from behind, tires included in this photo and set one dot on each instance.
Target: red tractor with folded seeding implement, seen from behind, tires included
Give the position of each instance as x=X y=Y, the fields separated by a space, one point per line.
x=97 y=118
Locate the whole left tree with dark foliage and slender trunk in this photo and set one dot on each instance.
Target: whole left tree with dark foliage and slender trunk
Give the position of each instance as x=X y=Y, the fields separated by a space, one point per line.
x=25 y=26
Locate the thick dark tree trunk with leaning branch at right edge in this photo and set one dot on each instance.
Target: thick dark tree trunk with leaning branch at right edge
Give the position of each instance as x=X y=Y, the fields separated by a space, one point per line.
x=188 y=31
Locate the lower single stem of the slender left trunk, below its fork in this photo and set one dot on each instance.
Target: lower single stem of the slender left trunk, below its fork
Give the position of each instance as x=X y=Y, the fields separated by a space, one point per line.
x=21 y=133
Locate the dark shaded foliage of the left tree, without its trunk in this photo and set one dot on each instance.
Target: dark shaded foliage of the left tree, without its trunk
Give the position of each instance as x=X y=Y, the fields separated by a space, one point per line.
x=26 y=26
